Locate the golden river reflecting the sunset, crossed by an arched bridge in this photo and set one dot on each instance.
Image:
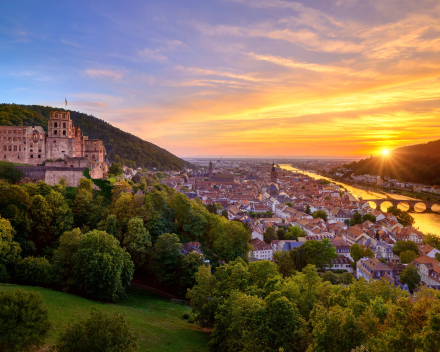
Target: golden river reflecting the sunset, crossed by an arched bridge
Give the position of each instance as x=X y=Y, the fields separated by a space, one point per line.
x=425 y=222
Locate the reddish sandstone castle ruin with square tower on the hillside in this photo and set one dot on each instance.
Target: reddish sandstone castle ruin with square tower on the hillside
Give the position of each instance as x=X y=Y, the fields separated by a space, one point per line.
x=61 y=152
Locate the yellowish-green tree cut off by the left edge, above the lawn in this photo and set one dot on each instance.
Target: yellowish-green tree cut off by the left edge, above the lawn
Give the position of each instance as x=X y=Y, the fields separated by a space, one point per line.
x=9 y=250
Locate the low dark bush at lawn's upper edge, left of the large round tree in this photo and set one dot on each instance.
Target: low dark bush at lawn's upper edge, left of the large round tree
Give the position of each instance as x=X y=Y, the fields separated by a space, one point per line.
x=35 y=272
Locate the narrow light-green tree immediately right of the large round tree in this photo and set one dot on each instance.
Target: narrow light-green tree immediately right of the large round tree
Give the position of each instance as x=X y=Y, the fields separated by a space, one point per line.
x=137 y=242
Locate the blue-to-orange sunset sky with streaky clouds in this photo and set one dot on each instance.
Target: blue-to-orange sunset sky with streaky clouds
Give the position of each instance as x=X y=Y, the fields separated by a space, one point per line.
x=339 y=78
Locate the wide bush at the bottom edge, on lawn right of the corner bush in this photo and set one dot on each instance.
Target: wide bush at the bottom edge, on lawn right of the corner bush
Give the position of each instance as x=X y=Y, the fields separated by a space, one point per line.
x=100 y=332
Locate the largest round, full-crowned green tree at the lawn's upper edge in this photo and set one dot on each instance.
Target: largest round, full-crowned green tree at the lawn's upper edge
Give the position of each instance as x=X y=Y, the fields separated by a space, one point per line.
x=102 y=269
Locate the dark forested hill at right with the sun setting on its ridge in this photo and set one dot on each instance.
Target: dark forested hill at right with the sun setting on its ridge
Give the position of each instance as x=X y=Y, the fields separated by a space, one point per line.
x=416 y=163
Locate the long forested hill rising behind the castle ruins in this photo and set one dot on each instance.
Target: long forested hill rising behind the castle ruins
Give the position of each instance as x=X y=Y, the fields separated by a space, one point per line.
x=121 y=146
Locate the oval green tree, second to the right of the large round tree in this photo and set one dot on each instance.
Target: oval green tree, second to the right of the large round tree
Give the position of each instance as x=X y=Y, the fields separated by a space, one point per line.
x=167 y=257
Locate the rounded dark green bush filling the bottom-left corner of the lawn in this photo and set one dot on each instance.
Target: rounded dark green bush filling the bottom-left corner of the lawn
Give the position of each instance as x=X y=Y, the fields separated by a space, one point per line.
x=24 y=321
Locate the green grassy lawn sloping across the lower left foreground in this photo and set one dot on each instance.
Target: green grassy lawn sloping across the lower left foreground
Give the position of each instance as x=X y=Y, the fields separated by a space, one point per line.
x=158 y=320
